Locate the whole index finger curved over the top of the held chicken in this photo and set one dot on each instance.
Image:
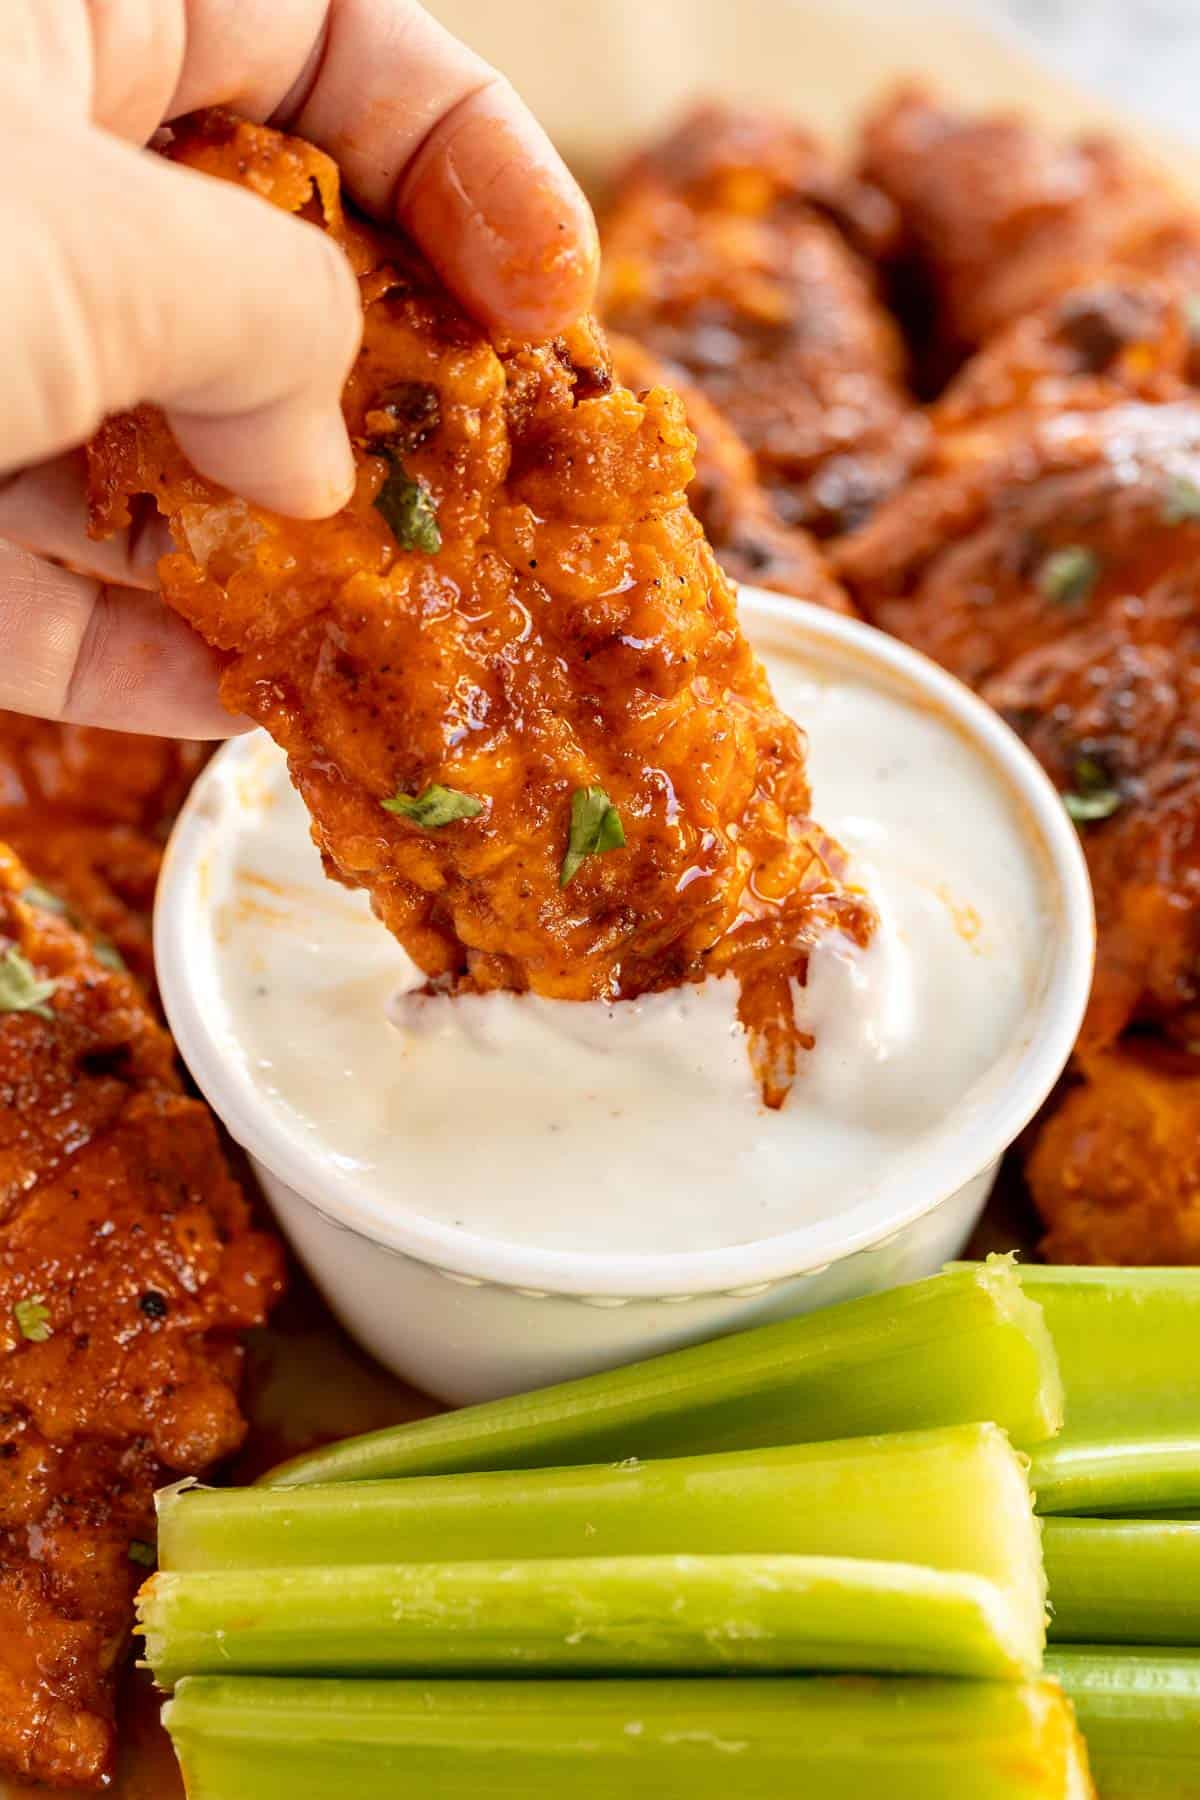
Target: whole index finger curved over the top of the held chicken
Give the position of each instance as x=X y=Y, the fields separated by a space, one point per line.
x=425 y=134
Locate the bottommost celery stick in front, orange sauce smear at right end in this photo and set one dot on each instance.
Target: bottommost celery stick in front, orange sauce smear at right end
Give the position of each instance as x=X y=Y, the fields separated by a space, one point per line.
x=755 y=1740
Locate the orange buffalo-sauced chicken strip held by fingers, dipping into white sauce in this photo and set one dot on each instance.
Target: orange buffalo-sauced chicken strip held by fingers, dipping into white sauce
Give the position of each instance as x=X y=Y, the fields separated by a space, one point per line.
x=569 y=631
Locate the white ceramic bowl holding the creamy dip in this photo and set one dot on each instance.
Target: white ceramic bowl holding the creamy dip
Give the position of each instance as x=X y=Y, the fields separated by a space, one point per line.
x=469 y=1318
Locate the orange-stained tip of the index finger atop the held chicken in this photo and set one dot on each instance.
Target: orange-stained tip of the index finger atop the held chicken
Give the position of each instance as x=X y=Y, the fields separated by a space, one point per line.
x=501 y=217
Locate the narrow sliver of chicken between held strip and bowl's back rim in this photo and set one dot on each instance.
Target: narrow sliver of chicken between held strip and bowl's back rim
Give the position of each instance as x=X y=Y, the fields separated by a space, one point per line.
x=751 y=543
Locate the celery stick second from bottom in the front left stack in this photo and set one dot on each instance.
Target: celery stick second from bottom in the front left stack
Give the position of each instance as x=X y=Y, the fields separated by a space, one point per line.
x=586 y=1615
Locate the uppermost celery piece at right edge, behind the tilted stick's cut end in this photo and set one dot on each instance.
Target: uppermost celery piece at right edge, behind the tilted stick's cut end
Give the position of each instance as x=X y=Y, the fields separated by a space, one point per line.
x=1127 y=1347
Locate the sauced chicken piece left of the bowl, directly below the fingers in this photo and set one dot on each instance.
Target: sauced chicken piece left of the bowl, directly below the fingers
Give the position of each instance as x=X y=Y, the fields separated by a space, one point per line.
x=89 y=813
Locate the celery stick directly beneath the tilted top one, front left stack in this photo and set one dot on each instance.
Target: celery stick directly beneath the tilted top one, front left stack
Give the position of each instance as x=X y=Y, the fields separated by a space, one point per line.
x=951 y=1500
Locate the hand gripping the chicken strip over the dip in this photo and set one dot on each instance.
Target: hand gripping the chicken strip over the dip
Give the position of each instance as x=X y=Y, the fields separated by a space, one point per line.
x=125 y=278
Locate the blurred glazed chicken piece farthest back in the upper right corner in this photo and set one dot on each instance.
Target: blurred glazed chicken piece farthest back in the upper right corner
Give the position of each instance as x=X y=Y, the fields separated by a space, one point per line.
x=1001 y=217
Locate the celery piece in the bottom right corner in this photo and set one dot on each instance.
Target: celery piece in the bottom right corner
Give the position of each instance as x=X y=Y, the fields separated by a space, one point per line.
x=1142 y=1716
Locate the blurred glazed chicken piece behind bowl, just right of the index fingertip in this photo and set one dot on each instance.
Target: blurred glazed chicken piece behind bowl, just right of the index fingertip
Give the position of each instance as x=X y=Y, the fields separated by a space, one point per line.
x=733 y=253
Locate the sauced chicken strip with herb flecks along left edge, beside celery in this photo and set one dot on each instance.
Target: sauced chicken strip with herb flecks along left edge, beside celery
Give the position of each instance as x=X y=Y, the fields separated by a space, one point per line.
x=127 y=1273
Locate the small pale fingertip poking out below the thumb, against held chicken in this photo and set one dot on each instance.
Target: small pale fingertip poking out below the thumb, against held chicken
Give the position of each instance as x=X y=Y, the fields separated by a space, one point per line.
x=292 y=460
